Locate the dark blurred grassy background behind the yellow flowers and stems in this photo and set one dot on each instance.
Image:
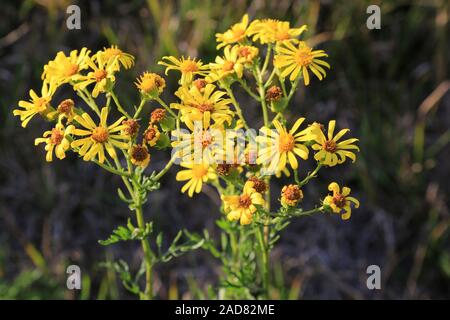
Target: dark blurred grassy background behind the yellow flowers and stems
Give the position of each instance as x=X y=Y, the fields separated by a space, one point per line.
x=390 y=86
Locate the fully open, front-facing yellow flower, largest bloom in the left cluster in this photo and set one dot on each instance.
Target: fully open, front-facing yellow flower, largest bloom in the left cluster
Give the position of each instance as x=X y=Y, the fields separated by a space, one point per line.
x=97 y=138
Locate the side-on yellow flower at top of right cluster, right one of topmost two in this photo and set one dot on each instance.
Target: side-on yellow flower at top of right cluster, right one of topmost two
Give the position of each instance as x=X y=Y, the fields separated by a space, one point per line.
x=271 y=30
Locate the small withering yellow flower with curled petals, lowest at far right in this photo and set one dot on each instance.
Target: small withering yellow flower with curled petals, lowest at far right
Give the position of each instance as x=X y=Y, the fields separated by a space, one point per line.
x=340 y=202
